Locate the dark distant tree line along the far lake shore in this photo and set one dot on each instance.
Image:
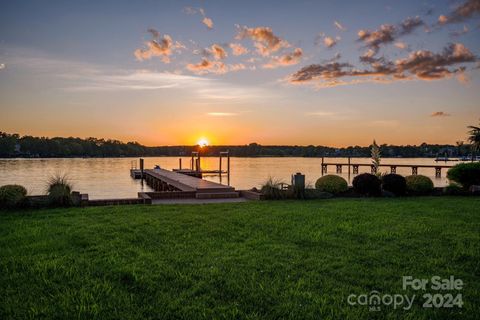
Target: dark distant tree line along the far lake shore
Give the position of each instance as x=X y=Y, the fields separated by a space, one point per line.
x=14 y=145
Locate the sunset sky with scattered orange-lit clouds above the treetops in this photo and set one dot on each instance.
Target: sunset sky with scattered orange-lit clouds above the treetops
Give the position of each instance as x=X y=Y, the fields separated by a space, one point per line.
x=331 y=73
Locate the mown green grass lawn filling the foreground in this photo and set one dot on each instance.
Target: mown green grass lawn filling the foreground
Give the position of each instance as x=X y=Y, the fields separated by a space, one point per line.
x=255 y=260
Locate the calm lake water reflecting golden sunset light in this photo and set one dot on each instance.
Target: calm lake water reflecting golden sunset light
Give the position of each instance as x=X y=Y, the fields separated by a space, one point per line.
x=110 y=177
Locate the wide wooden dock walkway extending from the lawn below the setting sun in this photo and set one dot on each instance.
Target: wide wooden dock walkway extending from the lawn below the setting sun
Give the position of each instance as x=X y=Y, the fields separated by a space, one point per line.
x=166 y=180
